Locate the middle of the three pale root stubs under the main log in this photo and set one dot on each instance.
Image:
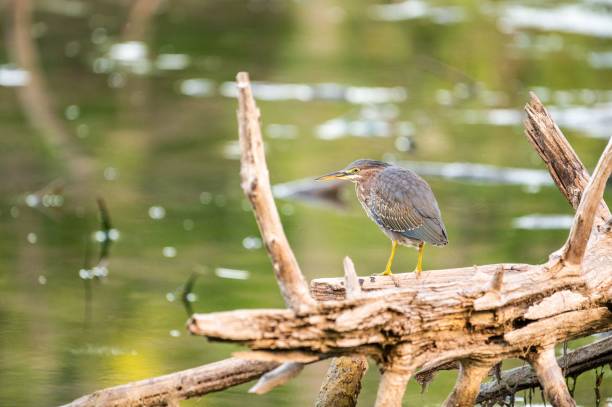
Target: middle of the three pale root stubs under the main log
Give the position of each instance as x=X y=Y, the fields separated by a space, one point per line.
x=471 y=375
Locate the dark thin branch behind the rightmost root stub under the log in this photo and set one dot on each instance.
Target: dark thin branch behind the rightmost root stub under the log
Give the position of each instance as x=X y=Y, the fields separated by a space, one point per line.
x=578 y=361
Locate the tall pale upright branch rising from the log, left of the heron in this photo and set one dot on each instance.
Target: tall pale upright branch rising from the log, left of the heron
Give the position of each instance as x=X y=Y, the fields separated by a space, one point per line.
x=256 y=186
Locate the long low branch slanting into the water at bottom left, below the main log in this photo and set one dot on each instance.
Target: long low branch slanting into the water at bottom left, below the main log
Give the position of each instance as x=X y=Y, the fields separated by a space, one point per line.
x=164 y=390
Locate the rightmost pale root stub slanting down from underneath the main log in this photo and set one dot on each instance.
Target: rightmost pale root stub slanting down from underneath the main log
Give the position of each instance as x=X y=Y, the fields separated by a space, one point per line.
x=550 y=377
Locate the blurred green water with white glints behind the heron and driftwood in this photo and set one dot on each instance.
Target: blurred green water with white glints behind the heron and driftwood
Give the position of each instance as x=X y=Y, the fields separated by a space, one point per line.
x=133 y=102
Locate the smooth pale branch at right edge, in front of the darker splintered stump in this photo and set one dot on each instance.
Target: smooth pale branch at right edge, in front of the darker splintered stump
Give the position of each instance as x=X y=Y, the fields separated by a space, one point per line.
x=585 y=214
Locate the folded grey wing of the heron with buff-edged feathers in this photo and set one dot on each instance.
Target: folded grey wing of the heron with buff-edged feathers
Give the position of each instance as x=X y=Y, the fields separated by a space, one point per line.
x=403 y=202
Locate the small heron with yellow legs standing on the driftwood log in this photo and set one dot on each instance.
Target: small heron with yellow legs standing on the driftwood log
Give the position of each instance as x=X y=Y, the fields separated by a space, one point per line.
x=400 y=202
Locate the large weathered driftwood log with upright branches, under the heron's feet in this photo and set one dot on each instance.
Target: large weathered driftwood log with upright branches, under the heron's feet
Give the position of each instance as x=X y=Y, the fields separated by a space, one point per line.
x=471 y=316
